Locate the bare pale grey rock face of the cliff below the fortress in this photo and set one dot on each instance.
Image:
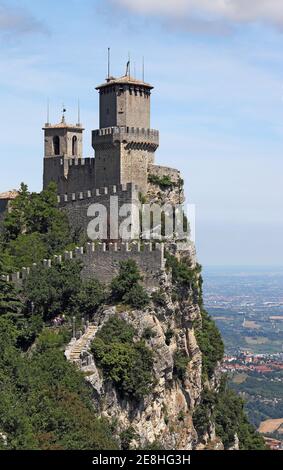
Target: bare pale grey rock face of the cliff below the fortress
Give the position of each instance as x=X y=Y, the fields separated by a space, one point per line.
x=165 y=415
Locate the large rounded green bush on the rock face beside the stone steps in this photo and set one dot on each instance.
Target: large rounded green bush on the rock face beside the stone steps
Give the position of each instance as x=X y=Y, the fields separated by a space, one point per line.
x=126 y=363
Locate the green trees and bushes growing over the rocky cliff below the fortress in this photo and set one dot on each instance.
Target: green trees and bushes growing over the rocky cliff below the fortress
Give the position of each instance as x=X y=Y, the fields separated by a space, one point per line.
x=45 y=402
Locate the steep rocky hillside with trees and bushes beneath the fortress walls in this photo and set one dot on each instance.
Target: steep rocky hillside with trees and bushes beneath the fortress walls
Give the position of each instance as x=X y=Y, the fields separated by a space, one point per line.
x=156 y=354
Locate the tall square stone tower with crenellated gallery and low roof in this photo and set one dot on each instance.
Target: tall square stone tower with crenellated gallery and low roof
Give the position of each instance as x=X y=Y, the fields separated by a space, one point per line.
x=124 y=144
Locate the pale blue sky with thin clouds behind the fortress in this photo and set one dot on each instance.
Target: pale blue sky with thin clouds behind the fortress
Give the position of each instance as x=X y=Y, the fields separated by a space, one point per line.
x=218 y=101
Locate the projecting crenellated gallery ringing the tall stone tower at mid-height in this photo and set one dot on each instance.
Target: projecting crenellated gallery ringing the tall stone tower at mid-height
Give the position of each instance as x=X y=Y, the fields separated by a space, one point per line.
x=127 y=135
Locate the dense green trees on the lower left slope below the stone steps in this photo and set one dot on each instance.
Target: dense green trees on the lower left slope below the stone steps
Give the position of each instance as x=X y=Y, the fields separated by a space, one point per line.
x=45 y=402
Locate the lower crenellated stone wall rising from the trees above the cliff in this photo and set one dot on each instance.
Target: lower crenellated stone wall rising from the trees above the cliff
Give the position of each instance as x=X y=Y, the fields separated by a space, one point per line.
x=102 y=261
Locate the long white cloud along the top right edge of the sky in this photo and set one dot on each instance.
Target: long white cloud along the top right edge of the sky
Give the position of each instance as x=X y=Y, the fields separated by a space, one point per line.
x=209 y=11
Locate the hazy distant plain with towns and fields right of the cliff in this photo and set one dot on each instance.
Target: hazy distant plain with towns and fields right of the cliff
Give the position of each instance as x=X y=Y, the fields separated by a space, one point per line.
x=247 y=305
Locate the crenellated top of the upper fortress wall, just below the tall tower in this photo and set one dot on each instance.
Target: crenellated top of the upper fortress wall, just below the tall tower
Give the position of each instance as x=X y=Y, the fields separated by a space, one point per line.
x=115 y=190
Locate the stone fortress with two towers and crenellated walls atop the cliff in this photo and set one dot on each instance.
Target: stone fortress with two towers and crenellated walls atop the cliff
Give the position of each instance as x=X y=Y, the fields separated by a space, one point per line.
x=123 y=166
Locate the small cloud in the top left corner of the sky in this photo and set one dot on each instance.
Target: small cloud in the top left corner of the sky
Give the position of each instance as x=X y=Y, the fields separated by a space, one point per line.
x=18 y=20
